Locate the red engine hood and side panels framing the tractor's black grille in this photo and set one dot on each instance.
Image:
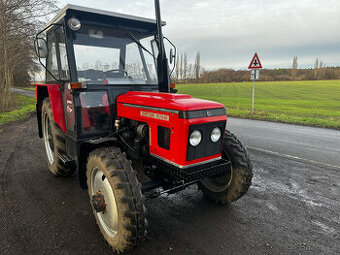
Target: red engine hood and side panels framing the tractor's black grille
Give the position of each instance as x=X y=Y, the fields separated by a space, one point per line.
x=160 y=109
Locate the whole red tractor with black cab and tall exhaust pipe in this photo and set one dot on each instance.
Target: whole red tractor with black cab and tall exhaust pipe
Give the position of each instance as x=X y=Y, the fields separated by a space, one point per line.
x=107 y=111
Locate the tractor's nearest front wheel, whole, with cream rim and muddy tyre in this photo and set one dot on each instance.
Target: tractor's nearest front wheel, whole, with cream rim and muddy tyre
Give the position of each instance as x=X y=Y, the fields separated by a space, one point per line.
x=116 y=198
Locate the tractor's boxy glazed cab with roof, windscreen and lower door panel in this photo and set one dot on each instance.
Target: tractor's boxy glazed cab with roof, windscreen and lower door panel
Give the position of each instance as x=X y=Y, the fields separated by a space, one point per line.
x=96 y=56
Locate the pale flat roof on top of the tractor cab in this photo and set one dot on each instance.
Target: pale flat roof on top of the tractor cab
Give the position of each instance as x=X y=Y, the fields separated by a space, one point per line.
x=70 y=10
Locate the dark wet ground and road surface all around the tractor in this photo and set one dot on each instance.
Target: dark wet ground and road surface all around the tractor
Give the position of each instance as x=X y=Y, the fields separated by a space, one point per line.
x=293 y=206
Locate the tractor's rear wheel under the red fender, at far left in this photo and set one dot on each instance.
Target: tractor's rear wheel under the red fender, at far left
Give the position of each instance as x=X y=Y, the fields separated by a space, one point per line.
x=54 y=141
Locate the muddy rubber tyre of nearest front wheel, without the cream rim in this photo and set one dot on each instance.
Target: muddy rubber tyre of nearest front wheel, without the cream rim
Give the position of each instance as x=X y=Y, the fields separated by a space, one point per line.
x=125 y=179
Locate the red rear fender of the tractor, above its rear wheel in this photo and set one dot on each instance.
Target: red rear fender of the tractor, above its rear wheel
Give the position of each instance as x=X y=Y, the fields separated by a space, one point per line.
x=56 y=103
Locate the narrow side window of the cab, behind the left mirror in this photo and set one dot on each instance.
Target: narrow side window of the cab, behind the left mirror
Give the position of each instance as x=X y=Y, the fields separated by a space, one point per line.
x=57 y=62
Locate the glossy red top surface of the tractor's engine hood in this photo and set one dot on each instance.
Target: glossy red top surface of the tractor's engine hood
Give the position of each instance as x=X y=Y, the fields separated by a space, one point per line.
x=170 y=101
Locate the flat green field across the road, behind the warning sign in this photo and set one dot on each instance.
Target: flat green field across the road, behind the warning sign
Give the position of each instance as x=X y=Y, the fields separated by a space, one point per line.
x=315 y=103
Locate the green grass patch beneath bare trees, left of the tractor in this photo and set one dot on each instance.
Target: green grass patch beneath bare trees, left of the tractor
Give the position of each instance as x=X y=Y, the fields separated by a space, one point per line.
x=24 y=106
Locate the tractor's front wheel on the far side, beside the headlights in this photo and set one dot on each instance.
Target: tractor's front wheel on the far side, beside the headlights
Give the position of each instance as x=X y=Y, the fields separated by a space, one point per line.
x=229 y=188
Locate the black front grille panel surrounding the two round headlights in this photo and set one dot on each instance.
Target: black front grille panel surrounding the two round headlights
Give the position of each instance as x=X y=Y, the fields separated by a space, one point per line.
x=206 y=147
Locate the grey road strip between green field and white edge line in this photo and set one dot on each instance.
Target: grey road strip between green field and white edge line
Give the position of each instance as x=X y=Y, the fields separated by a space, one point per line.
x=316 y=145
